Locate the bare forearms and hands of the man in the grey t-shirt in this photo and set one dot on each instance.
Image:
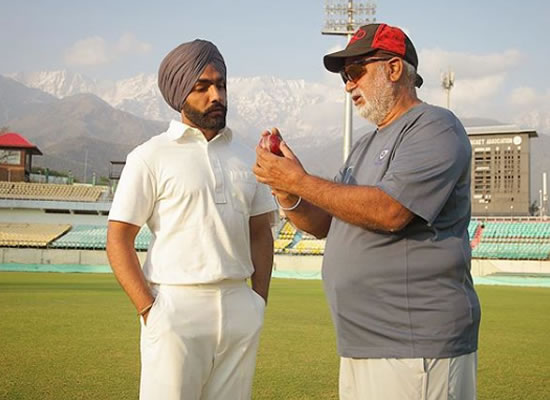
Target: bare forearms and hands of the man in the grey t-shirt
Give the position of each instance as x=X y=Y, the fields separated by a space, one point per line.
x=364 y=206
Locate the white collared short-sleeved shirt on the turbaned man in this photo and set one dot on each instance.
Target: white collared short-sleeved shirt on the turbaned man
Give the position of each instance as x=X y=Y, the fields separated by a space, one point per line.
x=196 y=198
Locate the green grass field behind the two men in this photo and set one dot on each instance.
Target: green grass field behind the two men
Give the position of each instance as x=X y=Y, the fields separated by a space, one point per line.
x=75 y=336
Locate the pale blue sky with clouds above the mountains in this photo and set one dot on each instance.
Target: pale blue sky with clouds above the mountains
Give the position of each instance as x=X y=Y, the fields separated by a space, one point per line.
x=499 y=50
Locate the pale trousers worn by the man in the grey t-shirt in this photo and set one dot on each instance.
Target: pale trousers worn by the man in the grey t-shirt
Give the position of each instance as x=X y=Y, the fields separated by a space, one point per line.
x=408 y=378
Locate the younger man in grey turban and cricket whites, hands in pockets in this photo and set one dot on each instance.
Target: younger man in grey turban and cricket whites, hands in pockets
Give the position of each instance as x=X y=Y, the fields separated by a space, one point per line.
x=210 y=219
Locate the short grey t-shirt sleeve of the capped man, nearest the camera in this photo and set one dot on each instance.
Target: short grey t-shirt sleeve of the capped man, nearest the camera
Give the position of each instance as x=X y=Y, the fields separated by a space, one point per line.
x=426 y=166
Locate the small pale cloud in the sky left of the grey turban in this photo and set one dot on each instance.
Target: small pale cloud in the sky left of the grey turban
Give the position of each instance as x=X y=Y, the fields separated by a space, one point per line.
x=97 y=51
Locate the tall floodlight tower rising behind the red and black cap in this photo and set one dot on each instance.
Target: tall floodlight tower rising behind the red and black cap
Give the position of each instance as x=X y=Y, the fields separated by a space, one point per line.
x=343 y=17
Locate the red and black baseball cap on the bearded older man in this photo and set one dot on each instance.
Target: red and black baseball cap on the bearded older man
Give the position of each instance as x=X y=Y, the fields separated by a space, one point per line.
x=375 y=38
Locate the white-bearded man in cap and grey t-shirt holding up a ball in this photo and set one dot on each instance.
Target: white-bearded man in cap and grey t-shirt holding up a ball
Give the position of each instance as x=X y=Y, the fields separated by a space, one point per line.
x=396 y=267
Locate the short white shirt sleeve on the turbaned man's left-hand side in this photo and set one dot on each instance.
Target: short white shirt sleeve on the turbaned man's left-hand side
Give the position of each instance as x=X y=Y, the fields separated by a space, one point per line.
x=135 y=194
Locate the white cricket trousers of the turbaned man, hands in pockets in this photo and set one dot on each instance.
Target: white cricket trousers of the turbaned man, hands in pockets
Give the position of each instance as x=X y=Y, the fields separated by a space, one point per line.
x=200 y=342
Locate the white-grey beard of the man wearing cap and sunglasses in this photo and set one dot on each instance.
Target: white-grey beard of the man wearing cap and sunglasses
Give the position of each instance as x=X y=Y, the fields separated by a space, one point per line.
x=377 y=107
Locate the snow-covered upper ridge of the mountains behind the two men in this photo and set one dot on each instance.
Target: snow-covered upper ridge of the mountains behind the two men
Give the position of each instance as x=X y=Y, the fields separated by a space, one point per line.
x=304 y=111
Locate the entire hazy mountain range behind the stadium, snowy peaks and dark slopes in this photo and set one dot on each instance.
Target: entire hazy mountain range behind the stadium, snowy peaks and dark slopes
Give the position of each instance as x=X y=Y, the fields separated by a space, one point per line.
x=81 y=124
